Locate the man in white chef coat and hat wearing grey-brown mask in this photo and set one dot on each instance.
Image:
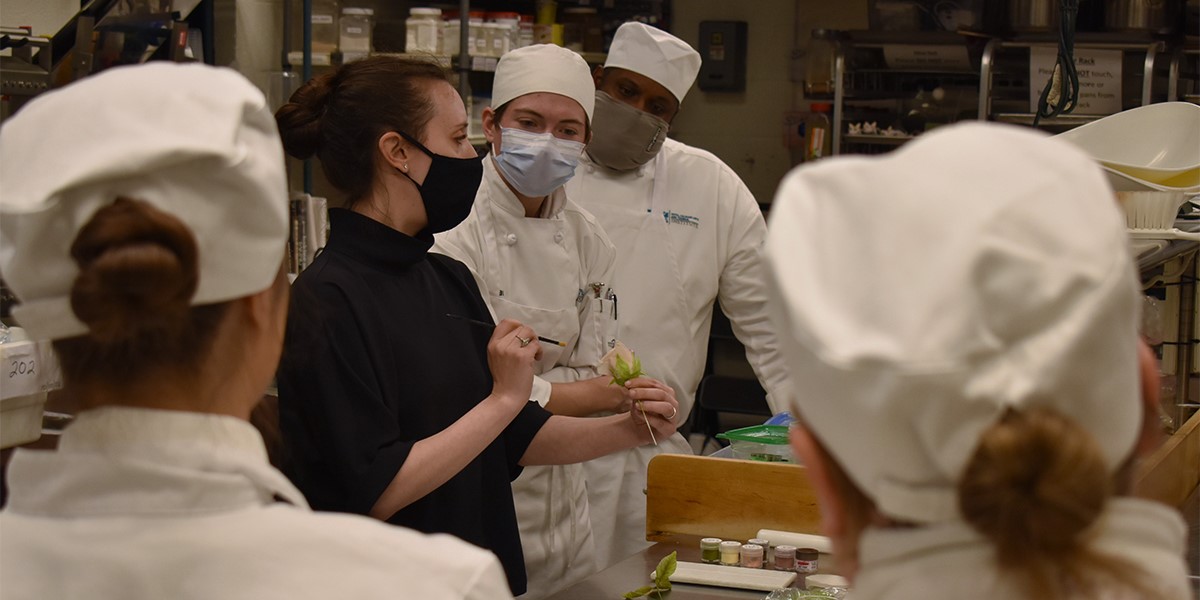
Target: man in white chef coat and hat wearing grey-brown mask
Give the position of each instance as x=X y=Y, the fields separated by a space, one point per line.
x=688 y=232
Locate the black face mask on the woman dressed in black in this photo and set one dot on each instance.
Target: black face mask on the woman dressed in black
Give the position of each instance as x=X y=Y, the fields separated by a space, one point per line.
x=449 y=189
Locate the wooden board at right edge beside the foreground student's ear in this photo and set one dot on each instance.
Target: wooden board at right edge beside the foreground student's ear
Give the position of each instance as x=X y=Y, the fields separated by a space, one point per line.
x=1173 y=473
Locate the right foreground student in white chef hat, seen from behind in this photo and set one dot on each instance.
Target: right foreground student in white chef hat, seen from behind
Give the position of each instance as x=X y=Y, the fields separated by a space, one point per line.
x=977 y=399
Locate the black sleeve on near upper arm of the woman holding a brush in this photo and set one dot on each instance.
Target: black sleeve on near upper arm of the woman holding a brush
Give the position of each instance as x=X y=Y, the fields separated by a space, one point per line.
x=351 y=446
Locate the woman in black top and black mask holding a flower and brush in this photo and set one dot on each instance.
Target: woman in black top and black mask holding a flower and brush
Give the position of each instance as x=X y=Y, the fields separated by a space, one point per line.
x=388 y=406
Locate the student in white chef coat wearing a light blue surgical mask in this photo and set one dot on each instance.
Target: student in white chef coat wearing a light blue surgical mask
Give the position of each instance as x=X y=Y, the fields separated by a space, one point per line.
x=543 y=261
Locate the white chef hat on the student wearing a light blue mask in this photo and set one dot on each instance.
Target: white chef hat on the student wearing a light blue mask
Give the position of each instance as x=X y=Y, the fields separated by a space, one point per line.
x=544 y=68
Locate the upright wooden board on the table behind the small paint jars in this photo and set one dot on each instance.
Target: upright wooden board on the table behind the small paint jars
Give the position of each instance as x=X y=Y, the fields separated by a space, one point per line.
x=727 y=499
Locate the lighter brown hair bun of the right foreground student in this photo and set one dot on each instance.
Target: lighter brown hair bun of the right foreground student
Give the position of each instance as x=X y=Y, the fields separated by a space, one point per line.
x=1035 y=485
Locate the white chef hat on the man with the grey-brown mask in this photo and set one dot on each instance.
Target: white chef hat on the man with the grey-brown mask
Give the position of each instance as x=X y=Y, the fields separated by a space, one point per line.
x=657 y=55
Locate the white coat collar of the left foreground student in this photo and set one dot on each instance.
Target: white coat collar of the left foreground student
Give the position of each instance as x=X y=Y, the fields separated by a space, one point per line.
x=140 y=461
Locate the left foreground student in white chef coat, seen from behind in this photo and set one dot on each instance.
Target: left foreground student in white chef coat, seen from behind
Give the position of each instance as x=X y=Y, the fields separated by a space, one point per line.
x=145 y=220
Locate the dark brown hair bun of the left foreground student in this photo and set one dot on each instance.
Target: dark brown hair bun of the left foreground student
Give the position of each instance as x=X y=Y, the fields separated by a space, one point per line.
x=139 y=272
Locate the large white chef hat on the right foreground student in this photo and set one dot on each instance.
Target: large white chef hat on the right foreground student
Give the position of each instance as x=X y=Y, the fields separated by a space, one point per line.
x=921 y=295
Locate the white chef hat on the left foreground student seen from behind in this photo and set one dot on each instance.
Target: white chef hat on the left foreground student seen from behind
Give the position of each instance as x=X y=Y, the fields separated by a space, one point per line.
x=193 y=141
